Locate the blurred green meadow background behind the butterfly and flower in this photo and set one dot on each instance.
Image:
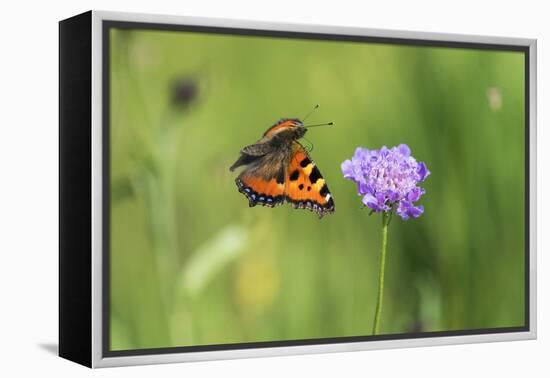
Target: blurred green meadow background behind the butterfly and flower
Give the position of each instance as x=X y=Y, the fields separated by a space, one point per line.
x=192 y=264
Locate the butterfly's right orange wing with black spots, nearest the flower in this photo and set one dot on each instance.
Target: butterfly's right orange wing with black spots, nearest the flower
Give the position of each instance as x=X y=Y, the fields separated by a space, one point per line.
x=305 y=187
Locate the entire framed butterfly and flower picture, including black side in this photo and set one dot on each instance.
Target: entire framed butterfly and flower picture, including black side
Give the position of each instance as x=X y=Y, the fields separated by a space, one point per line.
x=238 y=189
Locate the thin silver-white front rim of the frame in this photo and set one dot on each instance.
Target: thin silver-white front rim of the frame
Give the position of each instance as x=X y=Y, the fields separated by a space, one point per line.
x=97 y=358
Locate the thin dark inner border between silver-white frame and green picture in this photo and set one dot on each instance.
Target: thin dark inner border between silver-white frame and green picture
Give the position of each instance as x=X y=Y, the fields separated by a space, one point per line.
x=107 y=25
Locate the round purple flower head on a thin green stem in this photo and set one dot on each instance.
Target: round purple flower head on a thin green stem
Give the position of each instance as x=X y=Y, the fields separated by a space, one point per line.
x=387 y=179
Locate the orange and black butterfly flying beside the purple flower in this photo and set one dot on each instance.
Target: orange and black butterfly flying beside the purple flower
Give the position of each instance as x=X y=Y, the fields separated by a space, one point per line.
x=278 y=169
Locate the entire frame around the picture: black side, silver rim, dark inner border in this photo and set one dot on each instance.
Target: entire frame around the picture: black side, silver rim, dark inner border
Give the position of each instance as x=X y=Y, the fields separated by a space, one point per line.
x=84 y=120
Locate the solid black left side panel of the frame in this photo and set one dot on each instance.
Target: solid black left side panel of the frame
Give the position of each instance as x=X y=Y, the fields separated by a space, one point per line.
x=75 y=192
